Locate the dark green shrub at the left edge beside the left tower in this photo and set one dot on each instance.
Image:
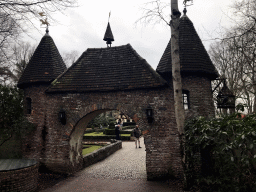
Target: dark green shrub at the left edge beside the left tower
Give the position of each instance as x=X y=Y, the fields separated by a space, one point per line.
x=12 y=121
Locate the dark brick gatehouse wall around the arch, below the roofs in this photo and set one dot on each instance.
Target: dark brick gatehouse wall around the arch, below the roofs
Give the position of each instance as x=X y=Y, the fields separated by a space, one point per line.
x=61 y=148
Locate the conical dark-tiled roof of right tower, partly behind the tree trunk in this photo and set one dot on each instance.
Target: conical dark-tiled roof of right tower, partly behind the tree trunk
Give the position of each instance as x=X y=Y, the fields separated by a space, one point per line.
x=194 y=59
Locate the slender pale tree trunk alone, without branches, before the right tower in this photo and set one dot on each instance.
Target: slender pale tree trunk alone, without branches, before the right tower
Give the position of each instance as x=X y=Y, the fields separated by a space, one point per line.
x=176 y=77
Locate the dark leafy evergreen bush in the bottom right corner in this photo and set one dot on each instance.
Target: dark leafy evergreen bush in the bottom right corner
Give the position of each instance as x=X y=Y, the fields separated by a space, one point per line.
x=224 y=150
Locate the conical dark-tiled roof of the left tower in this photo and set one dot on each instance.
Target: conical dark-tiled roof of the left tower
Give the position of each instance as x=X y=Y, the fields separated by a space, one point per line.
x=45 y=65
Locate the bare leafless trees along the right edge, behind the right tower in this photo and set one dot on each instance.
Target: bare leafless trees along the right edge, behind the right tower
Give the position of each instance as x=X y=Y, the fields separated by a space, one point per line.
x=234 y=55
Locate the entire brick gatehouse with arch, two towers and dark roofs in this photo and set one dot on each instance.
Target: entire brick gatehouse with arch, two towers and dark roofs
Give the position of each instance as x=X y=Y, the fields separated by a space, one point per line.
x=61 y=101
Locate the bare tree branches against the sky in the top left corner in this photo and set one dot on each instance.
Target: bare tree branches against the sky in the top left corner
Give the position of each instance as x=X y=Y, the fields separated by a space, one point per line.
x=17 y=17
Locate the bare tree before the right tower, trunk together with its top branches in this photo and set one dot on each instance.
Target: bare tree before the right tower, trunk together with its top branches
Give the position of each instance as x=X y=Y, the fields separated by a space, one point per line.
x=153 y=12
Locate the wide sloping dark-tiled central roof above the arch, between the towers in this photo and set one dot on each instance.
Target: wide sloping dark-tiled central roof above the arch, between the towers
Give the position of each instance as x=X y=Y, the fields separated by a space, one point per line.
x=108 y=69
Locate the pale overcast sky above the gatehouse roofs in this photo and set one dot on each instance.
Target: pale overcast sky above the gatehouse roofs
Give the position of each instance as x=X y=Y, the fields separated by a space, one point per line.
x=84 y=27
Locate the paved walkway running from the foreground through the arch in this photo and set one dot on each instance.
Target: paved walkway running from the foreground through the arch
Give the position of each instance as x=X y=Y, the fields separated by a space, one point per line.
x=125 y=170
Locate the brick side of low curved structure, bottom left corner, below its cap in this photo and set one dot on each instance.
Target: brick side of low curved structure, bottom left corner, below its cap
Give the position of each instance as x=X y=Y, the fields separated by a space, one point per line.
x=21 y=180
